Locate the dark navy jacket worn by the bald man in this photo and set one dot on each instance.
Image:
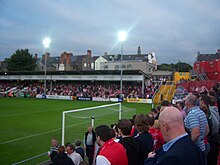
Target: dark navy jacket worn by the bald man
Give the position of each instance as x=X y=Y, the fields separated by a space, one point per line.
x=182 y=152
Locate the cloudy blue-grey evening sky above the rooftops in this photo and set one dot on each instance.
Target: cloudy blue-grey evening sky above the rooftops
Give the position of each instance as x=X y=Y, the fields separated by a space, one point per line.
x=174 y=29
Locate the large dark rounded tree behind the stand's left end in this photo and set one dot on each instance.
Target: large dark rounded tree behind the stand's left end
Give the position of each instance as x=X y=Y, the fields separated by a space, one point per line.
x=21 y=60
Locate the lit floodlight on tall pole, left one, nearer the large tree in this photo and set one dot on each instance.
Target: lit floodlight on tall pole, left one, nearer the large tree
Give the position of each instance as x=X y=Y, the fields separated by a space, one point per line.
x=46 y=43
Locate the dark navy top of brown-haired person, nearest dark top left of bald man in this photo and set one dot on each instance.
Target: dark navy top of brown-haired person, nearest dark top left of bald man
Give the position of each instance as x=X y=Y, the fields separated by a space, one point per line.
x=145 y=144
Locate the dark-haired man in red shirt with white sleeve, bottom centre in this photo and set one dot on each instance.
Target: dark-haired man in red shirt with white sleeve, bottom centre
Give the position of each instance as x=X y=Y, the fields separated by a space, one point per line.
x=111 y=152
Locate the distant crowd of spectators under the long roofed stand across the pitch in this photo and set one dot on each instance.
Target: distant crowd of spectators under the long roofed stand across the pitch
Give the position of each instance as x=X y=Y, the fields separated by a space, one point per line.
x=81 y=89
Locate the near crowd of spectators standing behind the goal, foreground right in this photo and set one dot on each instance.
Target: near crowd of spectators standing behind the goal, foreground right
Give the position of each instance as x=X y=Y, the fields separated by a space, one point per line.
x=185 y=133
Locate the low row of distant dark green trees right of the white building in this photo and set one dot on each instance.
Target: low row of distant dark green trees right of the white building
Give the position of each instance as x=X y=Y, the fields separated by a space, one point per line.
x=180 y=66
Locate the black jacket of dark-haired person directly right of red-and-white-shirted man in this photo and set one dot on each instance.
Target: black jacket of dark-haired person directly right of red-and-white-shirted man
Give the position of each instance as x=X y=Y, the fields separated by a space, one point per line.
x=131 y=149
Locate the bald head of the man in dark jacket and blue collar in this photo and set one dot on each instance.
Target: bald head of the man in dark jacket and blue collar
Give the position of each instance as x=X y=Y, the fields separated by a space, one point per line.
x=171 y=123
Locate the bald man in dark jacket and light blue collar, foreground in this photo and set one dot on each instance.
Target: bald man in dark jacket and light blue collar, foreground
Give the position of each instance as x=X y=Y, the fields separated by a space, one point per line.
x=179 y=149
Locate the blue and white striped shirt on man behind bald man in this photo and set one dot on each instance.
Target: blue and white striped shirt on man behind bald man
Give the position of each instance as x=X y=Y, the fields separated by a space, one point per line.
x=196 y=118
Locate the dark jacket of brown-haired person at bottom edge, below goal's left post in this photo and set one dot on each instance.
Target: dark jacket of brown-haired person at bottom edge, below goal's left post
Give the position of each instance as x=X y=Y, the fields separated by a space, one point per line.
x=62 y=159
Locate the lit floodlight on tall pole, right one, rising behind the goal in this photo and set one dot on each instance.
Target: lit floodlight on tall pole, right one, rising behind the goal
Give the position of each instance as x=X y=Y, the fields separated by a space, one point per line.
x=122 y=37
